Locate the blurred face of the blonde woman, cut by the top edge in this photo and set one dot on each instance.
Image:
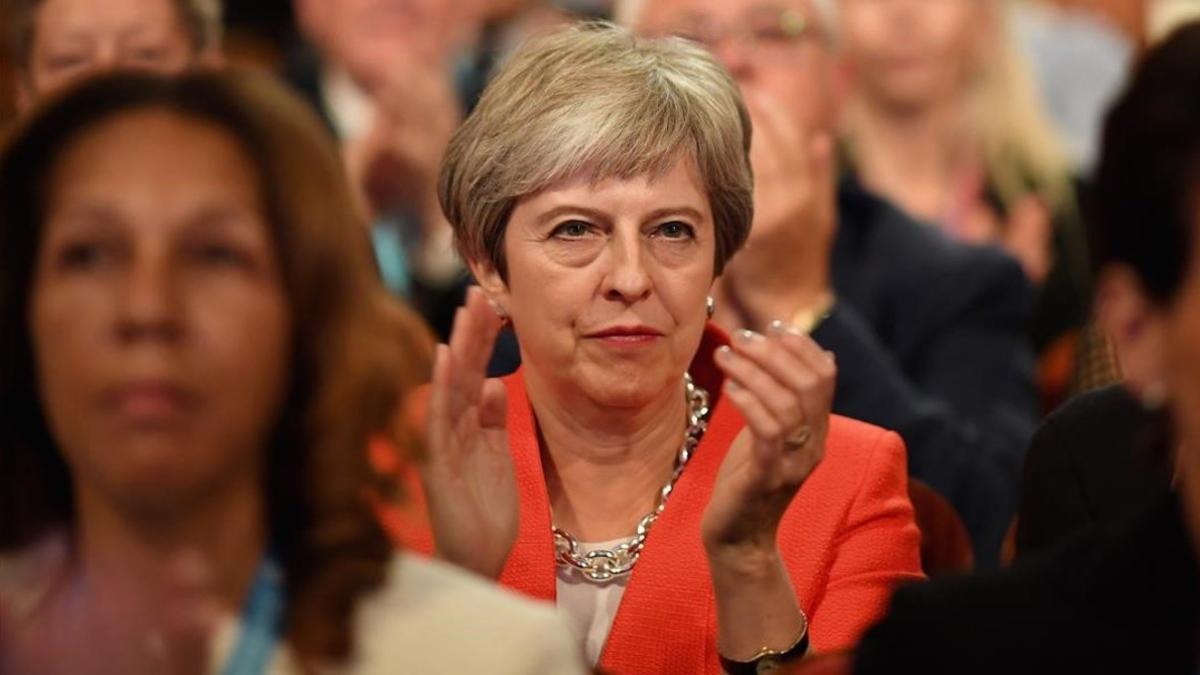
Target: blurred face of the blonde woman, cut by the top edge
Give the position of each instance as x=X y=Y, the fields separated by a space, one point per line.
x=909 y=53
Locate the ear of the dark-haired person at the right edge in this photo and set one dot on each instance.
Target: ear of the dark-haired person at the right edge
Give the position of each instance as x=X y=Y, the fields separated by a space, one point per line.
x=1135 y=326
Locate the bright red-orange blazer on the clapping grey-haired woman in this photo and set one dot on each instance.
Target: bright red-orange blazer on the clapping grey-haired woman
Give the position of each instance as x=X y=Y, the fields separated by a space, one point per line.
x=849 y=539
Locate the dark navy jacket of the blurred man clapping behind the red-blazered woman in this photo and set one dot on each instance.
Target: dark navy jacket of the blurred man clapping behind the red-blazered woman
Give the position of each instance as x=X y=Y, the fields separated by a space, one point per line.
x=932 y=342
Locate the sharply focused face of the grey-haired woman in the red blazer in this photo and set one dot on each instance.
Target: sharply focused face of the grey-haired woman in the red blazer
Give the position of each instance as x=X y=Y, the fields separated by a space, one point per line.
x=608 y=283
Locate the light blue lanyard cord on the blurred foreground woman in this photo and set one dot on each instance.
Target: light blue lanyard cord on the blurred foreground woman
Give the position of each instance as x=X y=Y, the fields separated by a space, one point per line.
x=262 y=622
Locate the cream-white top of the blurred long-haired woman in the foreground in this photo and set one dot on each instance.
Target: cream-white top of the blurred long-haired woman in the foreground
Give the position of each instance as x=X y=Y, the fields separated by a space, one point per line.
x=428 y=618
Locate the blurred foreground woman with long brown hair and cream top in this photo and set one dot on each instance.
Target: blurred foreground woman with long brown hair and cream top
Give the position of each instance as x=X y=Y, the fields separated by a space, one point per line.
x=195 y=348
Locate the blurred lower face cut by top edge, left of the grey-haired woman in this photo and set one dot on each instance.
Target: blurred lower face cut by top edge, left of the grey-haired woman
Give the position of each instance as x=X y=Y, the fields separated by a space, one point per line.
x=371 y=38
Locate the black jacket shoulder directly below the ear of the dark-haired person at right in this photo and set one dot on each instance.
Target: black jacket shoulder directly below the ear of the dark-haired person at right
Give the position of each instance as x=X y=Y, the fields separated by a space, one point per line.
x=1089 y=463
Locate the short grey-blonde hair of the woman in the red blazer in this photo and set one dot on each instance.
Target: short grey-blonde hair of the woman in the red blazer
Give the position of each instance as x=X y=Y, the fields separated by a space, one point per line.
x=596 y=100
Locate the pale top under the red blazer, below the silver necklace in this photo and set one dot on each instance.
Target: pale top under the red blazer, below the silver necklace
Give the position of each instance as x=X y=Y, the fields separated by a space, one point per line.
x=591 y=607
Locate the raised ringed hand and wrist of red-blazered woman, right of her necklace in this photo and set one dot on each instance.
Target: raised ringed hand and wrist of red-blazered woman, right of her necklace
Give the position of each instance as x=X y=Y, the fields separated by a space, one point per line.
x=783 y=384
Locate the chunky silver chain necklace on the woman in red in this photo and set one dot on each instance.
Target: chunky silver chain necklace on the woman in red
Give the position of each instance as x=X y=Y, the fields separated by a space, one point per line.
x=603 y=565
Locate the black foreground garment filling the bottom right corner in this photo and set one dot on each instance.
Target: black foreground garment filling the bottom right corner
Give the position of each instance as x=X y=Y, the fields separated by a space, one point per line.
x=1121 y=599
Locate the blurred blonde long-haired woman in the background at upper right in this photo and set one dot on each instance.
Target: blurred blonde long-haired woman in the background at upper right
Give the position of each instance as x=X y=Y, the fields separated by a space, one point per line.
x=944 y=118
